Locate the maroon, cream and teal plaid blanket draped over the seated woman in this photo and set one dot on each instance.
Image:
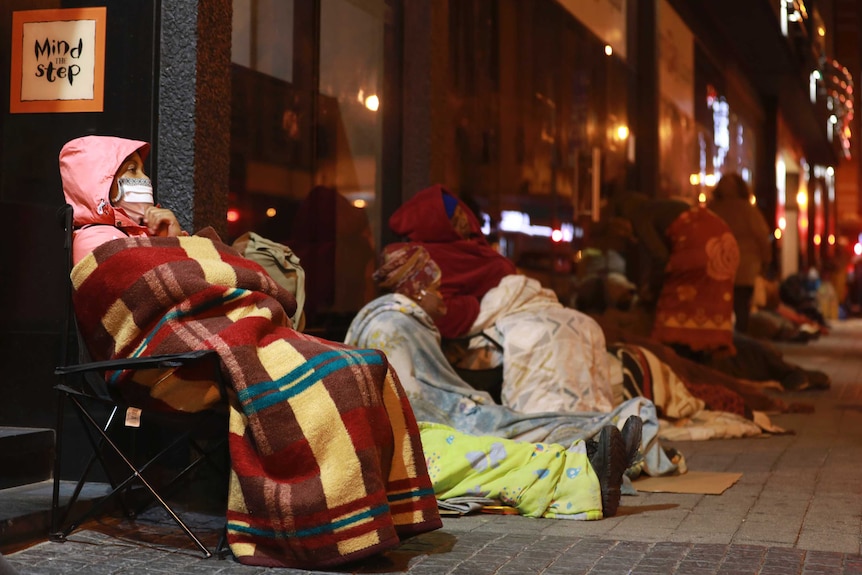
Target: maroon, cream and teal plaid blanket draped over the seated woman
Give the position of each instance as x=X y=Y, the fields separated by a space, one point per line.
x=327 y=464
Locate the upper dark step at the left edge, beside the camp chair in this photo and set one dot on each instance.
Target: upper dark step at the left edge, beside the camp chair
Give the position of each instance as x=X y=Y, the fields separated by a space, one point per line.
x=26 y=455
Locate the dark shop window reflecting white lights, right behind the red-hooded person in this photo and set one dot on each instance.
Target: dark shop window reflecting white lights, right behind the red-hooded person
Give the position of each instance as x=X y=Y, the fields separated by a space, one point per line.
x=539 y=126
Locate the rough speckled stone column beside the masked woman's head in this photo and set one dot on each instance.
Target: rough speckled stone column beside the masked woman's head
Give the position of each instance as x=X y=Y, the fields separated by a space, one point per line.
x=194 y=97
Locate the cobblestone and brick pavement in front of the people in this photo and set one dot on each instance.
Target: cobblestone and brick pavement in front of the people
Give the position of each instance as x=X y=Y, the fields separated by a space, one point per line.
x=797 y=509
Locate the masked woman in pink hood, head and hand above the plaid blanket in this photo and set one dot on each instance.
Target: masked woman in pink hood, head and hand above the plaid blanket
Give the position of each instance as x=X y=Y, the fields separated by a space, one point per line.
x=104 y=182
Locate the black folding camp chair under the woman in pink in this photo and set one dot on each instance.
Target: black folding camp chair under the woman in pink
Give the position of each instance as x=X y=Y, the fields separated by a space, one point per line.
x=103 y=412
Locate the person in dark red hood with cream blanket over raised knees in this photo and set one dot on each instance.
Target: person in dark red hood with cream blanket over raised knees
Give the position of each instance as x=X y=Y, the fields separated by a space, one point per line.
x=554 y=358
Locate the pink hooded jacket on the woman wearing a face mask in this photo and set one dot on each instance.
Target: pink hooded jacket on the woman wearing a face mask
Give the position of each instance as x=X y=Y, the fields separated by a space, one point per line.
x=87 y=168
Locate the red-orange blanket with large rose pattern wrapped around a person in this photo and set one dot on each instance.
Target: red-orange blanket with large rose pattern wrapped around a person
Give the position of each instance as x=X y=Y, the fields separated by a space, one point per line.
x=695 y=307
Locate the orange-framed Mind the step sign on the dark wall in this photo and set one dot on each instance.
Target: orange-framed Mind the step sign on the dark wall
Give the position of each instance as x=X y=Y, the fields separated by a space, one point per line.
x=58 y=60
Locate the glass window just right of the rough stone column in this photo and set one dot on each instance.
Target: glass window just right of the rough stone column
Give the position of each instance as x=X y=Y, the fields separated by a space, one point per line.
x=305 y=125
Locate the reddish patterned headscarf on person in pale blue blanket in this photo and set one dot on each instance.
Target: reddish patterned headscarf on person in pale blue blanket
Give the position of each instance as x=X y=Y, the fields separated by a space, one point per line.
x=407 y=269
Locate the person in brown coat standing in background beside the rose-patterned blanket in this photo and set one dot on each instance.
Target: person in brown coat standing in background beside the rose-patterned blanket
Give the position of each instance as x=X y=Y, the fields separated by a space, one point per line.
x=731 y=200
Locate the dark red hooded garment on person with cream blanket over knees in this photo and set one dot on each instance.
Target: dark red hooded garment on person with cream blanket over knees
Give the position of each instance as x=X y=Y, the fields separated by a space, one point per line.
x=470 y=267
